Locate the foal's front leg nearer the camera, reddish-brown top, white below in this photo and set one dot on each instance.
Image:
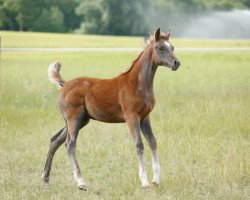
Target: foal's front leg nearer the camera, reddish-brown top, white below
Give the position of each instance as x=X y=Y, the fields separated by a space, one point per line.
x=133 y=122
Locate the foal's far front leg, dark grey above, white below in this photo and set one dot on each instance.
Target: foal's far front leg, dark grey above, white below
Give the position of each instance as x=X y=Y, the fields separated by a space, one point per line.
x=147 y=132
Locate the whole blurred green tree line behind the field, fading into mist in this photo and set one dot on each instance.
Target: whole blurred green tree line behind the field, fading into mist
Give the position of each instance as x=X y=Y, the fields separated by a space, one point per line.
x=108 y=17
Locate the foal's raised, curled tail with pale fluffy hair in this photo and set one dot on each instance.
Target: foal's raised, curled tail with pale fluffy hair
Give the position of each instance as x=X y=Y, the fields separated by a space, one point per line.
x=54 y=73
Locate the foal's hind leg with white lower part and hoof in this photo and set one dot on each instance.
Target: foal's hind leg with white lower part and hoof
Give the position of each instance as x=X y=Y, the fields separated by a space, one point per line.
x=74 y=125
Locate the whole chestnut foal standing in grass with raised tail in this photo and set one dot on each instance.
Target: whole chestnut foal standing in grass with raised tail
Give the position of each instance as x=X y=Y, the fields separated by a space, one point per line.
x=128 y=97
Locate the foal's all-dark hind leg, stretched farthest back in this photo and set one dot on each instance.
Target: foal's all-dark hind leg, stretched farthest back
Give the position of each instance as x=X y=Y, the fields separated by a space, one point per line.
x=55 y=142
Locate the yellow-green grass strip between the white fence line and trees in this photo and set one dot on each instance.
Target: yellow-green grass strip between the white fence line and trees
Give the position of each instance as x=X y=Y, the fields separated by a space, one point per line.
x=24 y=39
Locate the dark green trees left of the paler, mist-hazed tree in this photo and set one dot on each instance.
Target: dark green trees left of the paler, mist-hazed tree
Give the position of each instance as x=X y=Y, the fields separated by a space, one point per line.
x=36 y=15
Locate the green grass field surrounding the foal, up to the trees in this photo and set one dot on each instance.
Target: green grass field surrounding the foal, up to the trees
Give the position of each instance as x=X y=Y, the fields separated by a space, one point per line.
x=201 y=122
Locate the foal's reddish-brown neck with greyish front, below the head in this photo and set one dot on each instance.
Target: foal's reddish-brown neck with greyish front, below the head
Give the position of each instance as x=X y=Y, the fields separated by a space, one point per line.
x=144 y=70
